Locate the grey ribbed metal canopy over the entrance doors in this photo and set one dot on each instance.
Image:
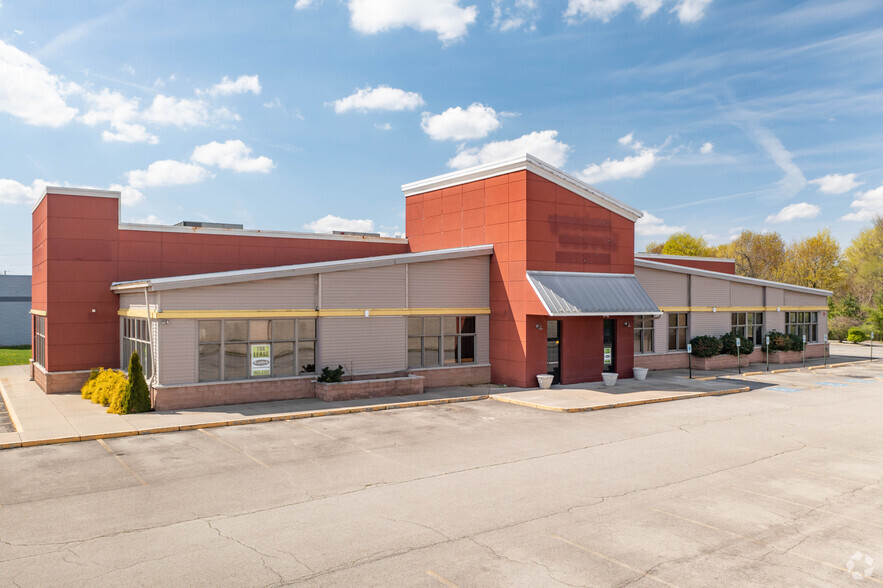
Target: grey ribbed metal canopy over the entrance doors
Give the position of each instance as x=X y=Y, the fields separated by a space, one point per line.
x=590 y=294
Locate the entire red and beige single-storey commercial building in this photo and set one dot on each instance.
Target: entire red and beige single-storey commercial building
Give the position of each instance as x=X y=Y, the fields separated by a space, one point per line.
x=509 y=270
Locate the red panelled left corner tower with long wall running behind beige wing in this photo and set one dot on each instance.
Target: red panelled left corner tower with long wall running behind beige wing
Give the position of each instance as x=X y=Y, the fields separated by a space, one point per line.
x=79 y=250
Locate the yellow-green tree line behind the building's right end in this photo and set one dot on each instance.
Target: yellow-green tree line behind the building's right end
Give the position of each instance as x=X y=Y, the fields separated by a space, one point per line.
x=854 y=275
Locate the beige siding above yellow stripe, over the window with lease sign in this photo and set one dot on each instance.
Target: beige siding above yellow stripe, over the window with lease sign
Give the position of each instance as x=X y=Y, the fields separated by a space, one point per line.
x=283 y=293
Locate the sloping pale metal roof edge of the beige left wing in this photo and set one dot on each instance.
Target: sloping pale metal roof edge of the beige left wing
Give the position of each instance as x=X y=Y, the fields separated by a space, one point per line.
x=287 y=271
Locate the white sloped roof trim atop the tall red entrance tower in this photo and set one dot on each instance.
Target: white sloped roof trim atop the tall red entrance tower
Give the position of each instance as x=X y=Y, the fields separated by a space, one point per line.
x=524 y=162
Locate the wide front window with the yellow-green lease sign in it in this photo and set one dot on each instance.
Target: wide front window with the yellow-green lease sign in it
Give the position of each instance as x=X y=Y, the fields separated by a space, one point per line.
x=257 y=348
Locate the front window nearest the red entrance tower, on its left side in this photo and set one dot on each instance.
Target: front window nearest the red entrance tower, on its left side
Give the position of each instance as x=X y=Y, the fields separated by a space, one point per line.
x=435 y=341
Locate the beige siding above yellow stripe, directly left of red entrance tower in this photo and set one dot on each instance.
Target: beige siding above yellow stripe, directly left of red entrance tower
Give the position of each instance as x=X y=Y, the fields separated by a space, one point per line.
x=454 y=283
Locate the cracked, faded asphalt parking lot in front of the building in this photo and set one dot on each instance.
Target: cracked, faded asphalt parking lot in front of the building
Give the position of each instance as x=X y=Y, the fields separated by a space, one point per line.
x=782 y=485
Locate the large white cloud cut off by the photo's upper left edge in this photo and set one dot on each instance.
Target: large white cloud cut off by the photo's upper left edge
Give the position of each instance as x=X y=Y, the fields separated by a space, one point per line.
x=30 y=92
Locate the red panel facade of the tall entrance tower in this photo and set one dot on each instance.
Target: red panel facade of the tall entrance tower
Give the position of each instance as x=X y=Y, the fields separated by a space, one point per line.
x=534 y=224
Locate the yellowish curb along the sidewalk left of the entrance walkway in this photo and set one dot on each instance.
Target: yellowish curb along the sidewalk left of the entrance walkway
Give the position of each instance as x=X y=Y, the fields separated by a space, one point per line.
x=244 y=421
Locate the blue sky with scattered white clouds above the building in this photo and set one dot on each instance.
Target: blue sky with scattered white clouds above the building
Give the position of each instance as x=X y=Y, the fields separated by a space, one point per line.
x=308 y=115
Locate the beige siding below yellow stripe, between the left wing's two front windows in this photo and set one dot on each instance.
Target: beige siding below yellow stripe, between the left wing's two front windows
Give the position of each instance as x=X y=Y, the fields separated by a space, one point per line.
x=363 y=345
